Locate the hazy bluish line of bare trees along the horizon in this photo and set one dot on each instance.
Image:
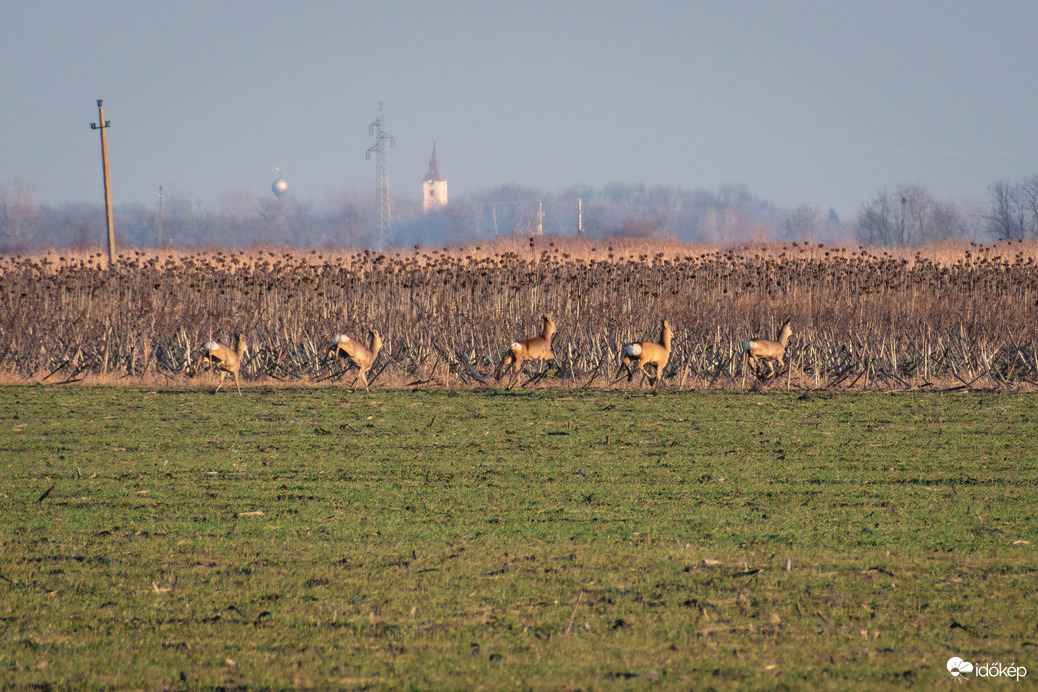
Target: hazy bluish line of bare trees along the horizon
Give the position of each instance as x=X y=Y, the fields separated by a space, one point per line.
x=906 y=215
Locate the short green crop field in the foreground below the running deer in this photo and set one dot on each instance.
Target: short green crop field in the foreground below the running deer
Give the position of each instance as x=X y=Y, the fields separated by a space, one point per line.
x=488 y=540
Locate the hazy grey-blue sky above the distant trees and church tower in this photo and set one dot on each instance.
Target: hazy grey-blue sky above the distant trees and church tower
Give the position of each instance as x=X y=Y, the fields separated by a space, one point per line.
x=803 y=102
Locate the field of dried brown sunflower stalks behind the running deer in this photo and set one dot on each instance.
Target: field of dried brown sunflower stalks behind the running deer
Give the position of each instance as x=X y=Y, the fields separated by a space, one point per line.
x=950 y=316
